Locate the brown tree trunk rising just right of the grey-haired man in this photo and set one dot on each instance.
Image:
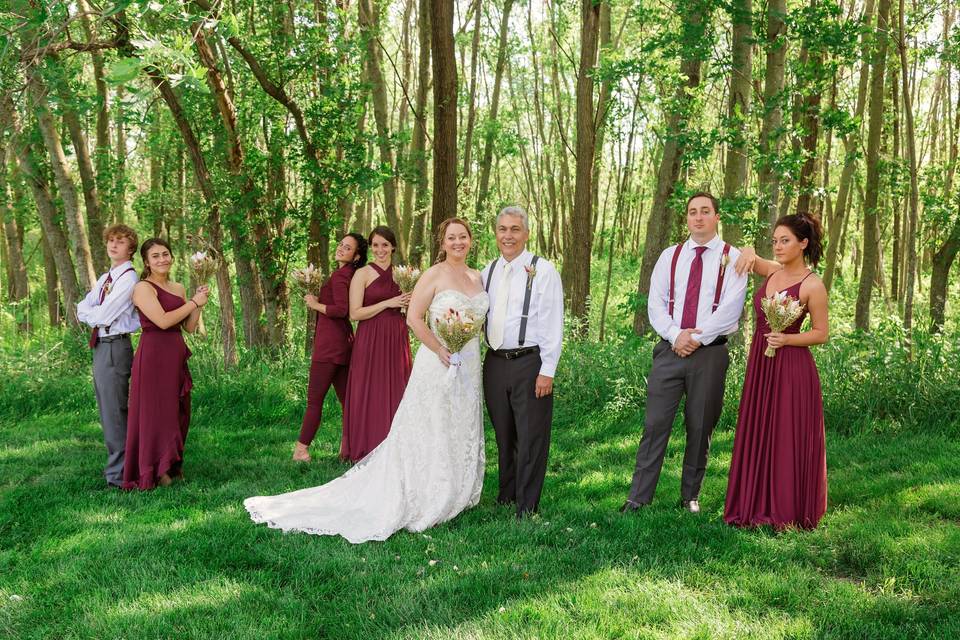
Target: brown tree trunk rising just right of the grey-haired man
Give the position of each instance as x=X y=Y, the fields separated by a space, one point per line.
x=576 y=266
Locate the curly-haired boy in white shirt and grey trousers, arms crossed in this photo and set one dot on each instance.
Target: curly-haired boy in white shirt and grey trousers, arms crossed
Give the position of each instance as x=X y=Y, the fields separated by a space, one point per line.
x=108 y=309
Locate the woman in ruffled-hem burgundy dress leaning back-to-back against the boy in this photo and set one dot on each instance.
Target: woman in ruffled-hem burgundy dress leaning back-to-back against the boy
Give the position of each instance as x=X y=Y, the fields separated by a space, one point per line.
x=159 y=409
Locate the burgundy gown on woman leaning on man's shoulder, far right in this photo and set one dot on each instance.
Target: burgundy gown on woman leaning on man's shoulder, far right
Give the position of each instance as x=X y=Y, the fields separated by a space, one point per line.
x=778 y=475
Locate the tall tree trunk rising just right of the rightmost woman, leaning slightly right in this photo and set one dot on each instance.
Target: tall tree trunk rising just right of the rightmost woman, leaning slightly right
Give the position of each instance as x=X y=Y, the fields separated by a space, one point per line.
x=870 y=213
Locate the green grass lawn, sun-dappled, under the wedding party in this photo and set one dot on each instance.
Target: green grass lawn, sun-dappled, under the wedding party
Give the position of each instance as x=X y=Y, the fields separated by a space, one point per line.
x=80 y=561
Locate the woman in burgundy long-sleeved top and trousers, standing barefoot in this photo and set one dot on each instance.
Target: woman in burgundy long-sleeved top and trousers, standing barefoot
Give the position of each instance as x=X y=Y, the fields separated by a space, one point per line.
x=332 y=339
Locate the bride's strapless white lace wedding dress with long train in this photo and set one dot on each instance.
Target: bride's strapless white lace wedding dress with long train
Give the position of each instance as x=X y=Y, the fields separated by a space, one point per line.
x=427 y=470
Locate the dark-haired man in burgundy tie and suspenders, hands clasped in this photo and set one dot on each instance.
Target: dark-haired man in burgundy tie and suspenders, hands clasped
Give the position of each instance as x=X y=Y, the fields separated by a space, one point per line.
x=694 y=304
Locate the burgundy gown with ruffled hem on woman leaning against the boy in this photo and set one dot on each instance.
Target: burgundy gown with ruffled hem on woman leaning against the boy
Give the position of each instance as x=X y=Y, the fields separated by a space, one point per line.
x=159 y=411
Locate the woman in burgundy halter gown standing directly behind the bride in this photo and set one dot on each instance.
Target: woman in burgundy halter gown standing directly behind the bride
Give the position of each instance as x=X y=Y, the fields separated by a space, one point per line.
x=381 y=362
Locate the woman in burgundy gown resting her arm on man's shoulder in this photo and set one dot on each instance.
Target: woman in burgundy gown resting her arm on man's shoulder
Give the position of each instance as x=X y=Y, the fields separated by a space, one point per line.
x=778 y=475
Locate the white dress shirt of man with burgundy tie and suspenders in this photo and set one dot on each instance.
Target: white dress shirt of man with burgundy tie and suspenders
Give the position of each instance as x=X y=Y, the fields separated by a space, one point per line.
x=721 y=322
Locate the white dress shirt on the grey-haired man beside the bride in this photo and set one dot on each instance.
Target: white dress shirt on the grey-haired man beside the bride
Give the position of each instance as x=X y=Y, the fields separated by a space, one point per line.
x=545 y=320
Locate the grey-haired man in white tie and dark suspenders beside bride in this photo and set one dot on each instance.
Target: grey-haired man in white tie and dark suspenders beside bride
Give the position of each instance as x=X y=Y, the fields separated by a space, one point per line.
x=525 y=335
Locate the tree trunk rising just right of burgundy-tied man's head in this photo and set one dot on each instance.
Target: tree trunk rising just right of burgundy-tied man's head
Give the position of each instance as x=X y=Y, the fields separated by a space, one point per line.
x=738 y=113
